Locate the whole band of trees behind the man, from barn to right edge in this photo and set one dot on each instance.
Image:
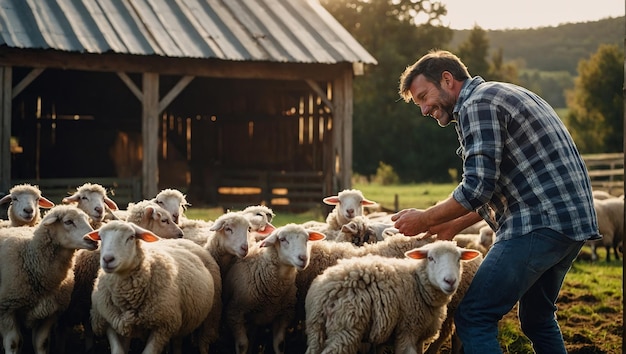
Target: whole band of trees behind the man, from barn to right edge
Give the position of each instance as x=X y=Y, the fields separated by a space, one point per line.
x=392 y=133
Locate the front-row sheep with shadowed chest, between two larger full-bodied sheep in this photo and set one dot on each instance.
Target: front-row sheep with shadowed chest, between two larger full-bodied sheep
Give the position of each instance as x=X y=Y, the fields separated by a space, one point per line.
x=260 y=288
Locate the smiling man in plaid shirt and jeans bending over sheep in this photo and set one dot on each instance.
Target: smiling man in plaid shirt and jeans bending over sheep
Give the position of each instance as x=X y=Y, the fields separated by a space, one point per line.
x=523 y=174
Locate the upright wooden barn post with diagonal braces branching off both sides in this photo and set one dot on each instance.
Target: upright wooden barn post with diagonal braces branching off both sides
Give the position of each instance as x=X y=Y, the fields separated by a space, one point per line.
x=150 y=134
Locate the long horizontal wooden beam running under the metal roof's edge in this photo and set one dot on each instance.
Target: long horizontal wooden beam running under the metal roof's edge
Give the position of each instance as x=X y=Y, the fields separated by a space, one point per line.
x=109 y=62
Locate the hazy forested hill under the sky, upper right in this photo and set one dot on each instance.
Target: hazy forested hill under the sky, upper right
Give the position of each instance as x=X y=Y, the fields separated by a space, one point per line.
x=553 y=48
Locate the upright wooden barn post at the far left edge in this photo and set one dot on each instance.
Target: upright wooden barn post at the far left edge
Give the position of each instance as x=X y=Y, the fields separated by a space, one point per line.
x=6 y=98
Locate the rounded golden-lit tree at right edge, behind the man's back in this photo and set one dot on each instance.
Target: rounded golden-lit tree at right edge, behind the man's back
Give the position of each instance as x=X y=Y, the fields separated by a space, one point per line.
x=596 y=116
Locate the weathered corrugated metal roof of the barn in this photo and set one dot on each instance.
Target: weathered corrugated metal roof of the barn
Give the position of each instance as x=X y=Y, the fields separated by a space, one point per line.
x=297 y=31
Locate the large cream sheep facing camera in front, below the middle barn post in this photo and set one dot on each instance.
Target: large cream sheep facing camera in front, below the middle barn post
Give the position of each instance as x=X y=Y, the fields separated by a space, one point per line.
x=153 y=289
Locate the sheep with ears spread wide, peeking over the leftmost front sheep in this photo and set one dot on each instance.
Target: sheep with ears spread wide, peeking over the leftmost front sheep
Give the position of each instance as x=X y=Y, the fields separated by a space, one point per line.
x=93 y=200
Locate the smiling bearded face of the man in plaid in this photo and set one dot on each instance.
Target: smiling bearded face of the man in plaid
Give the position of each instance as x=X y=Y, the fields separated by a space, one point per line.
x=433 y=101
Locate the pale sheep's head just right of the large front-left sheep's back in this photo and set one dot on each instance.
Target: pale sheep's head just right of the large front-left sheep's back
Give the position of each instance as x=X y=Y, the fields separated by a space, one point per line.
x=232 y=231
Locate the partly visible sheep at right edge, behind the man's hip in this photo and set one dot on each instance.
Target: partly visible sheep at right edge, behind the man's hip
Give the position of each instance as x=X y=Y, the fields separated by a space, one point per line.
x=610 y=214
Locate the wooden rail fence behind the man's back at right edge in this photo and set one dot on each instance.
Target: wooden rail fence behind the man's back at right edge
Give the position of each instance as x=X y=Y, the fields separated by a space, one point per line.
x=606 y=172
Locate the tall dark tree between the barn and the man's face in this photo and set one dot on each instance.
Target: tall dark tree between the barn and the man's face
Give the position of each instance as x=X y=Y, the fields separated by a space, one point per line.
x=386 y=130
